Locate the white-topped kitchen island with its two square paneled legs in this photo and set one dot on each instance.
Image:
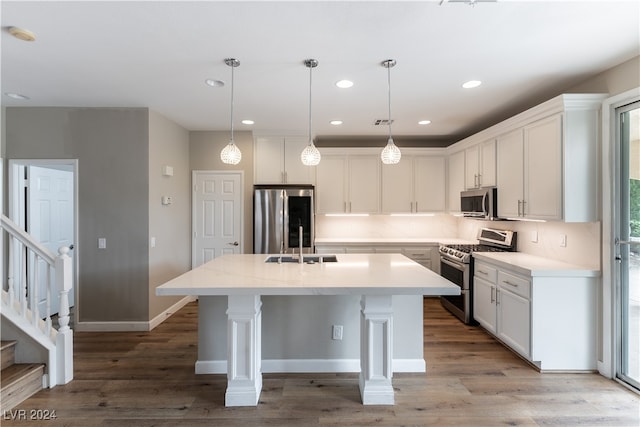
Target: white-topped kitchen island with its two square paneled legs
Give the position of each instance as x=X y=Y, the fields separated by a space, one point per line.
x=376 y=278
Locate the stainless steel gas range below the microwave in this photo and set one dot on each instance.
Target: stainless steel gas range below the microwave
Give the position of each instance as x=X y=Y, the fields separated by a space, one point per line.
x=456 y=265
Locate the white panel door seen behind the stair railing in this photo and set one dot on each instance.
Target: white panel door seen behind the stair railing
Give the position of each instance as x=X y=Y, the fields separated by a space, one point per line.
x=50 y=221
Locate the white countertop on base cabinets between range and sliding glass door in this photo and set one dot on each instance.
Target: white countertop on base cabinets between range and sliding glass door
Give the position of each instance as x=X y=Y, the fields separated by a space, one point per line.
x=536 y=266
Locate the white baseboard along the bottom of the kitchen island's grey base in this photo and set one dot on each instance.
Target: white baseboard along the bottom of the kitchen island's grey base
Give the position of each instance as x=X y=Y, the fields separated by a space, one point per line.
x=310 y=365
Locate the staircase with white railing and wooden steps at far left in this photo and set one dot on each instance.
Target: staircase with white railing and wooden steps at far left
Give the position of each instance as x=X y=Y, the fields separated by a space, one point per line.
x=43 y=350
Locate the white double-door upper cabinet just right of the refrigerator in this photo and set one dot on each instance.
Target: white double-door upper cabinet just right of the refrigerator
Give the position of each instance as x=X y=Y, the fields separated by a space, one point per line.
x=348 y=184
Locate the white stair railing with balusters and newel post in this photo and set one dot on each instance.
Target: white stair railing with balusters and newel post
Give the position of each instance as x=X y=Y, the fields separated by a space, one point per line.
x=28 y=261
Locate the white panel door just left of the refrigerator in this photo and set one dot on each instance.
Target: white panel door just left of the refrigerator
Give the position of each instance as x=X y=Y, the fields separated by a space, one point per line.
x=217 y=215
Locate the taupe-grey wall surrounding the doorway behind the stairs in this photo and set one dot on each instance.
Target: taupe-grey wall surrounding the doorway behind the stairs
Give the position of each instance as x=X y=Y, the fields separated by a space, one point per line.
x=111 y=145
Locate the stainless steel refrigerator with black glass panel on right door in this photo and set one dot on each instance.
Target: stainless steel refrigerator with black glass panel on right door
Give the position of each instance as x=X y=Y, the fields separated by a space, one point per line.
x=278 y=213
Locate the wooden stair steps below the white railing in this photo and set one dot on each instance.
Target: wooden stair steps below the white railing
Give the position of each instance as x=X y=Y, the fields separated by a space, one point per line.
x=19 y=380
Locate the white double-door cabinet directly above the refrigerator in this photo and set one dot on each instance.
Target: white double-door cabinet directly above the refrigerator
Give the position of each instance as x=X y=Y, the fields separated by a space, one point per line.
x=277 y=161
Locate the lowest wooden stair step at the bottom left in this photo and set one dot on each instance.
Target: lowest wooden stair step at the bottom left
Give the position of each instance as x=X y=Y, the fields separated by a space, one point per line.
x=19 y=382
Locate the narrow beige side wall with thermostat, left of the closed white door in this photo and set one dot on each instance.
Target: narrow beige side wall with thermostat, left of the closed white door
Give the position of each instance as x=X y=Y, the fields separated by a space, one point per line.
x=169 y=225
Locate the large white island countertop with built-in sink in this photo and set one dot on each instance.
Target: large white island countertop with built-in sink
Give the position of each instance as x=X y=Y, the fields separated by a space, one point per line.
x=352 y=274
